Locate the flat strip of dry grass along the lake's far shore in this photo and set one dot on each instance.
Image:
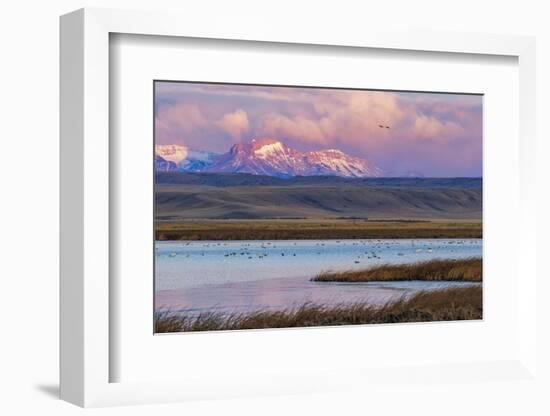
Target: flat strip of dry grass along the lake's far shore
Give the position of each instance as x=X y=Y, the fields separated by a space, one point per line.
x=308 y=229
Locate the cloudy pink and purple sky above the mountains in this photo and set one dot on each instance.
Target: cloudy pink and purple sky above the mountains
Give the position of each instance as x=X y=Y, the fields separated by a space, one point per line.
x=433 y=134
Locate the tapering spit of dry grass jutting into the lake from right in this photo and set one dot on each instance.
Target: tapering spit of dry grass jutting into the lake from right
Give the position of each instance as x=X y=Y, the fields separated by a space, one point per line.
x=460 y=270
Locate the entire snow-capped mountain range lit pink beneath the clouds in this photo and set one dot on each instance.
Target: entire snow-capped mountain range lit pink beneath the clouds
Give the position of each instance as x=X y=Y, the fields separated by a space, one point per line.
x=270 y=157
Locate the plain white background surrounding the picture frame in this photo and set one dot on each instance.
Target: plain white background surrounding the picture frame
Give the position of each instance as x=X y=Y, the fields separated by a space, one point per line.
x=29 y=217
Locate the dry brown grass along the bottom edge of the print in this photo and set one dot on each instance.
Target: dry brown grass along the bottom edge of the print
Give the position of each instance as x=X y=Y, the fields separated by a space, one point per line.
x=440 y=305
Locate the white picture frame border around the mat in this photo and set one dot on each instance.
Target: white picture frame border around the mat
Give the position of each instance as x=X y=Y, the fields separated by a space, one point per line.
x=86 y=356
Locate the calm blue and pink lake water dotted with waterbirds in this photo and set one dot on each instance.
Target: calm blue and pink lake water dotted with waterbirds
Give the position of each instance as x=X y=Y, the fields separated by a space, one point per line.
x=242 y=276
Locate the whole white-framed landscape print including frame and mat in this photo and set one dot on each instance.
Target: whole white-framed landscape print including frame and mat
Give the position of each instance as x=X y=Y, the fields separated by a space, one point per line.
x=273 y=212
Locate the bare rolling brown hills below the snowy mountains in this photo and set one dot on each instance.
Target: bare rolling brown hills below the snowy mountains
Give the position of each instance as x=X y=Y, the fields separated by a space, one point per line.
x=181 y=202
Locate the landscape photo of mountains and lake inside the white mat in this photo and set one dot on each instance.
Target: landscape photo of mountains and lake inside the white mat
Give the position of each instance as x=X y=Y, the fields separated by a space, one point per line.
x=284 y=206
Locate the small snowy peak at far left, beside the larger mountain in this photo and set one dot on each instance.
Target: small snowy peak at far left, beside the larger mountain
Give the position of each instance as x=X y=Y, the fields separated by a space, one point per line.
x=183 y=158
